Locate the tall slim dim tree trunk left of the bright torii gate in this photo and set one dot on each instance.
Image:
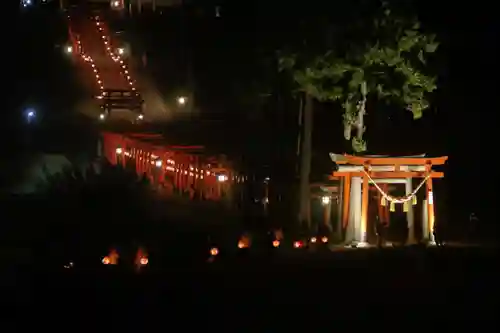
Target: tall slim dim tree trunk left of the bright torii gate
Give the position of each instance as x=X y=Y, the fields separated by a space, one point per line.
x=305 y=162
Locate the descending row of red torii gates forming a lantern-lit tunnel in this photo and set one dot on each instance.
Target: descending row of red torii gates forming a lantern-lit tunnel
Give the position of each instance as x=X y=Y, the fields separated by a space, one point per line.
x=184 y=169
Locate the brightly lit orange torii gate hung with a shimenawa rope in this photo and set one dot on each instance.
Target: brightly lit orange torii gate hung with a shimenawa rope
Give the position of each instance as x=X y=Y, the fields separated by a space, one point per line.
x=360 y=175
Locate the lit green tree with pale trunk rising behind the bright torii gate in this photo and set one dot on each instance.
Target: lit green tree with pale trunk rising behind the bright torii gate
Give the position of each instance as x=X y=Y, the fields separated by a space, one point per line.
x=384 y=58
